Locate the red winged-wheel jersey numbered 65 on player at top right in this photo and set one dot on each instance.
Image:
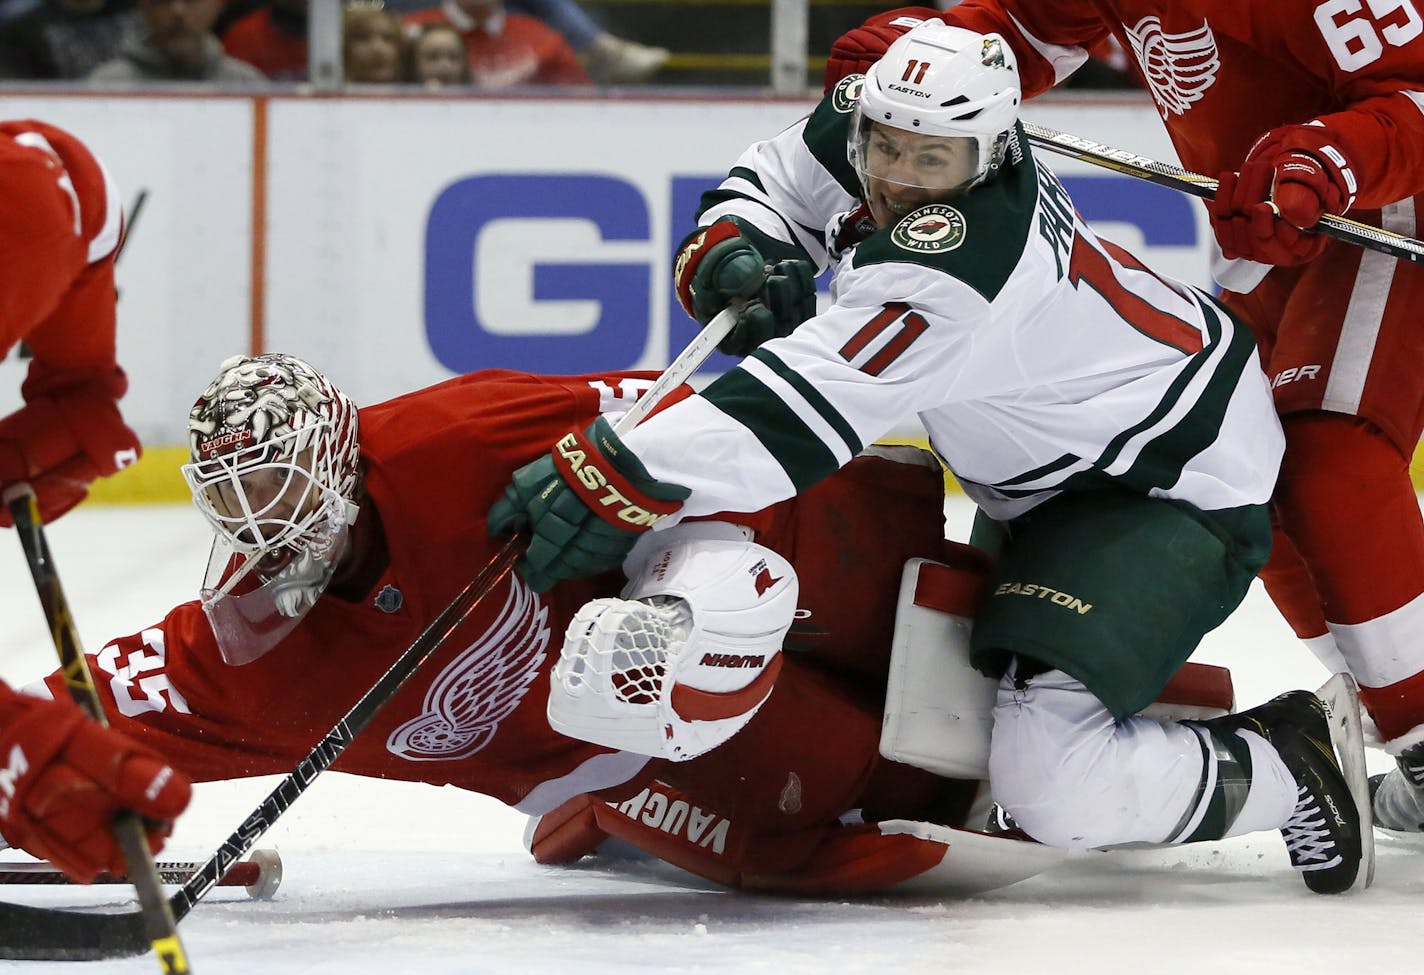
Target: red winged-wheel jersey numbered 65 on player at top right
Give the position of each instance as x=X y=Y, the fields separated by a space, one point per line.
x=1225 y=72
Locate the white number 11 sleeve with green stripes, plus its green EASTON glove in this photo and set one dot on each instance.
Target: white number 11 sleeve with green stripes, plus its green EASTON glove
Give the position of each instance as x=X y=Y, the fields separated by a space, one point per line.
x=787 y=418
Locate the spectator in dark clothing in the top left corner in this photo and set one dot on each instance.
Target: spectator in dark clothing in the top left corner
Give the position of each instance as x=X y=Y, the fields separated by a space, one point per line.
x=66 y=39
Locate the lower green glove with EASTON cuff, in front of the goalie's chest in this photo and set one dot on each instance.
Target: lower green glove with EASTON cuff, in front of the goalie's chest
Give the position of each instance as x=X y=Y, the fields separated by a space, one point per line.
x=583 y=506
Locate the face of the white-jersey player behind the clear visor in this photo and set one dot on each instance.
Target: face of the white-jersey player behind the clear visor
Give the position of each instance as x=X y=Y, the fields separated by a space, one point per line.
x=906 y=170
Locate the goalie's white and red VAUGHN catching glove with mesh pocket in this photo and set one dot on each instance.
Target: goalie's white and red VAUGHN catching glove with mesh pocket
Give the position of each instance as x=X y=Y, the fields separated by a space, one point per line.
x=689 y=655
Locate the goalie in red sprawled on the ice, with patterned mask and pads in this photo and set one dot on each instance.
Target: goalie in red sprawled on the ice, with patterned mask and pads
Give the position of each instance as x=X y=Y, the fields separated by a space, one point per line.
x=721 y=704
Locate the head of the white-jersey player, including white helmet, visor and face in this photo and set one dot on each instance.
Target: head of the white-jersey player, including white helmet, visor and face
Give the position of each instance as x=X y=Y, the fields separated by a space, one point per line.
x=935 y=117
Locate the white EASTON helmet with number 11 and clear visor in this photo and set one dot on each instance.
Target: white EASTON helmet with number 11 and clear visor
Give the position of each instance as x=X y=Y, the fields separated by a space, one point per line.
x=941 y=82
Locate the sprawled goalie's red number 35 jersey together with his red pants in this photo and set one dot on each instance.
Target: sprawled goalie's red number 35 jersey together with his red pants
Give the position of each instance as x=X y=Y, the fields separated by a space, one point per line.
x=475 y=715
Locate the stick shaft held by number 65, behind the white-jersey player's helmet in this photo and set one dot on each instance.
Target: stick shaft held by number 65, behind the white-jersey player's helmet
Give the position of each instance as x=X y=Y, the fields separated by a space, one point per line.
x=1131 y=164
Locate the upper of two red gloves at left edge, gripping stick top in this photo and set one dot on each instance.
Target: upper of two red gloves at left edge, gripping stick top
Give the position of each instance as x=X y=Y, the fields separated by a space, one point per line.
x=63 y=442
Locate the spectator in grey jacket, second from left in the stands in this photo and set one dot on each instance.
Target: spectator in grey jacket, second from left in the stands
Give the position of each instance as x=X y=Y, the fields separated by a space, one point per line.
x=177 y=45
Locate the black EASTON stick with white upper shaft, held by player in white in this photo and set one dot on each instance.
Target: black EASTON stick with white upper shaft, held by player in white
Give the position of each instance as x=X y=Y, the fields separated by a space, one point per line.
x=56 y=934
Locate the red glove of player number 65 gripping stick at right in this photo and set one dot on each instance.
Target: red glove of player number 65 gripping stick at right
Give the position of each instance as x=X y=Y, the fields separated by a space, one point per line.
x=1291 y=179
